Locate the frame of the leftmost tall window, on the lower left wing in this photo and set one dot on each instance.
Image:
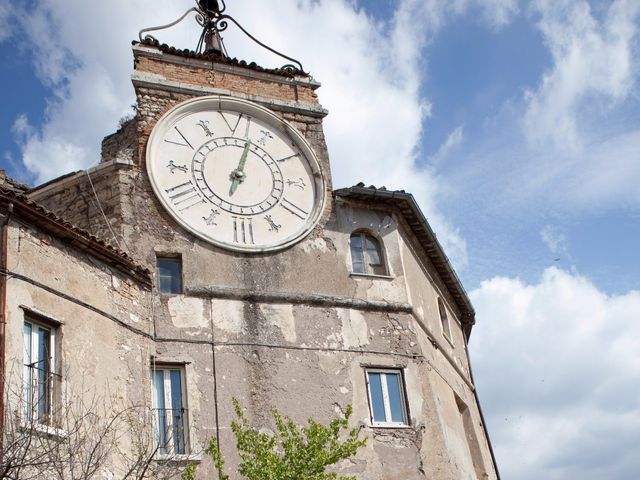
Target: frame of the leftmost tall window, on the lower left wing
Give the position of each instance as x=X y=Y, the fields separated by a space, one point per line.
x=31 y=383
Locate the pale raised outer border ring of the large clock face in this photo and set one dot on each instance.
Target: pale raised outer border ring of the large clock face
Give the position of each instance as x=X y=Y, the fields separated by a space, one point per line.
x=227 y=103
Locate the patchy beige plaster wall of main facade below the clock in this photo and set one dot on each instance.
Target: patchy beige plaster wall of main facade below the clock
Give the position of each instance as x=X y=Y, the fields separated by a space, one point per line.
x=308 y=361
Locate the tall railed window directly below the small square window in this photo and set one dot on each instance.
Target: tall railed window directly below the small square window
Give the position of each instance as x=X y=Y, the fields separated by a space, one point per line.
x=169 y=411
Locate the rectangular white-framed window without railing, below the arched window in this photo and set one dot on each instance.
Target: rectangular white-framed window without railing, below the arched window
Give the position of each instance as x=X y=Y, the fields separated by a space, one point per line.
x=386 y=397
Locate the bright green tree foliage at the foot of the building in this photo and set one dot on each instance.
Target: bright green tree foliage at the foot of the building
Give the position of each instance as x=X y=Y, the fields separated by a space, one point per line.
x=293 y=452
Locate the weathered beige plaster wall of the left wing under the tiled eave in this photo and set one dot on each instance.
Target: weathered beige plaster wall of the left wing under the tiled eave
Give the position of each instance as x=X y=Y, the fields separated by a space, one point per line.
x=101 y=322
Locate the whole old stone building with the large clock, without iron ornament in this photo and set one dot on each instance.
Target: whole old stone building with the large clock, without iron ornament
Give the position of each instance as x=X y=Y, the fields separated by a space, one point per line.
x=245 y=276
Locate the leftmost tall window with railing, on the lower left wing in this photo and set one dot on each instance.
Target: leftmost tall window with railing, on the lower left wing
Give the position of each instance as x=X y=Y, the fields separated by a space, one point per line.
x=39 y=377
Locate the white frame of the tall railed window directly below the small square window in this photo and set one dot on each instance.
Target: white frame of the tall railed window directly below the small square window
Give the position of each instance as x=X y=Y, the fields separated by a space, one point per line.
x=170 y=449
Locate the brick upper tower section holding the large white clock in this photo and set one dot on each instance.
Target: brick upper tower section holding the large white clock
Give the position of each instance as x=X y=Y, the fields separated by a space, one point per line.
x=234 y=152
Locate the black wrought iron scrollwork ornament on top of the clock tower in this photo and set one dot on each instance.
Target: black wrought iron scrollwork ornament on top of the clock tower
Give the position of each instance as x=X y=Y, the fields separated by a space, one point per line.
x=211 y=17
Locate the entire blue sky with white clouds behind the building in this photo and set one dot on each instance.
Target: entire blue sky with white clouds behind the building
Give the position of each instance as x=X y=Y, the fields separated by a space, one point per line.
x=515 y=124
